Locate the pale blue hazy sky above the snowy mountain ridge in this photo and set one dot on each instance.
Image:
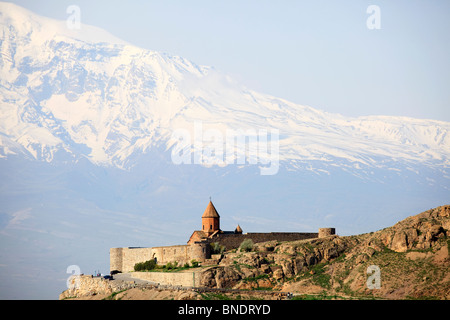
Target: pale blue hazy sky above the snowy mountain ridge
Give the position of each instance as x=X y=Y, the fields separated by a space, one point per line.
x=317 y=53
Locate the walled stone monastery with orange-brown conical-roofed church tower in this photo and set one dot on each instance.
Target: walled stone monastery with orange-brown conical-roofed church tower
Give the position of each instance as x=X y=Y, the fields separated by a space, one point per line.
x=198 y=246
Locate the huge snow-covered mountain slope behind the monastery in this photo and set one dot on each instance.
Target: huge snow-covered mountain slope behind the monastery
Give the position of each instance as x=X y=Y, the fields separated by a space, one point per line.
x=67 y=94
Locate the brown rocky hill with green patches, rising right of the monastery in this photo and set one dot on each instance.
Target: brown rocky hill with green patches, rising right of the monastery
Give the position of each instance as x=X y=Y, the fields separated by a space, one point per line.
x=412 y=257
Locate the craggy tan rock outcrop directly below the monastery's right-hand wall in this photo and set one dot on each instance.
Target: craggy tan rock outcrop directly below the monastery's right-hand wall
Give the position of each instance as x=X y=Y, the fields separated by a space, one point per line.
x=272 y=262
